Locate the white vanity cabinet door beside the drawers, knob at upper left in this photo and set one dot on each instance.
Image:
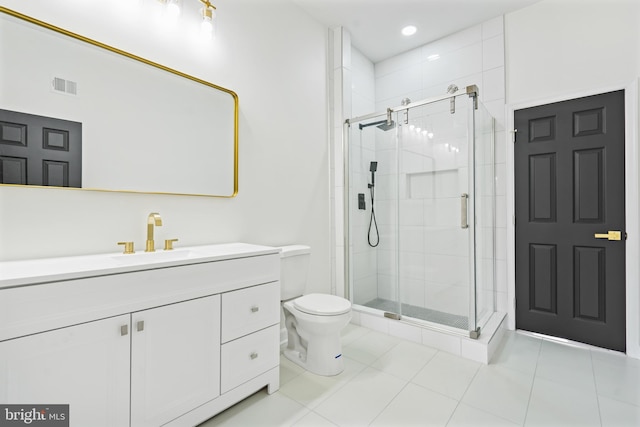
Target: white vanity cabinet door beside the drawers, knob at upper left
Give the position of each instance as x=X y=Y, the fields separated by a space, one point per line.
x=175 y=360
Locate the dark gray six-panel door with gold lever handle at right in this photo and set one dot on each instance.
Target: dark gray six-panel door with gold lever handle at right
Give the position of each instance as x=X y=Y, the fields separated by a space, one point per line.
x=569 y=196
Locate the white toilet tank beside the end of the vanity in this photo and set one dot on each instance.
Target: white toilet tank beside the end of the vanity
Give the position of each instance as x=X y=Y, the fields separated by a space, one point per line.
x=294 y=267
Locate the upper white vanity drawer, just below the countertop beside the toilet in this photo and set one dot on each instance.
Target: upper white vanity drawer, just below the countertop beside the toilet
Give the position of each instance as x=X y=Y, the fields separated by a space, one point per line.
x=247 y=310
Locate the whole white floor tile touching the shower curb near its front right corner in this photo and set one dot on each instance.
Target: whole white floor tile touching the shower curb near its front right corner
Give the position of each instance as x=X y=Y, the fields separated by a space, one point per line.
x=447 y=374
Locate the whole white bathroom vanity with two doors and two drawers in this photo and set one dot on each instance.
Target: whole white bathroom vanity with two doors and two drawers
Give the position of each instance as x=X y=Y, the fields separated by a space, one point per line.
x=147 y=345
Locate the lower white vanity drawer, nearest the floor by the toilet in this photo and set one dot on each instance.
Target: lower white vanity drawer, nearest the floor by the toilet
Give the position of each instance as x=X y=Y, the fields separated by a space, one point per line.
x=248 y=357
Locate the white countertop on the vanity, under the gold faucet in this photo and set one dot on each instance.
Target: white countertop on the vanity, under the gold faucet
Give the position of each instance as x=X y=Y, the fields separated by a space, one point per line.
x=46 y=270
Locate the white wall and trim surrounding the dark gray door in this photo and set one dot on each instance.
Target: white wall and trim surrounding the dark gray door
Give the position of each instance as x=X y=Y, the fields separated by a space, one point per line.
x=563 y=49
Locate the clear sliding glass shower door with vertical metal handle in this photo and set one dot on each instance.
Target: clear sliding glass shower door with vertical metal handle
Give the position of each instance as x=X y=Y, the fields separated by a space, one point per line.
x=435 y=228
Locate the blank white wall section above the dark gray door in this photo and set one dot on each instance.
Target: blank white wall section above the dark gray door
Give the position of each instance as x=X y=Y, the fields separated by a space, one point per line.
x=557 y=47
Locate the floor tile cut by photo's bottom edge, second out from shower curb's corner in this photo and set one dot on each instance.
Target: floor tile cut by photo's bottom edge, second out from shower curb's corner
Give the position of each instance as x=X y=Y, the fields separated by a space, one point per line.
x=415 y=406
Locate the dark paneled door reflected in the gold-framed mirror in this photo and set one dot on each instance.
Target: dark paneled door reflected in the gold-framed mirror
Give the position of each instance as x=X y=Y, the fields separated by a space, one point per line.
x=39 y=150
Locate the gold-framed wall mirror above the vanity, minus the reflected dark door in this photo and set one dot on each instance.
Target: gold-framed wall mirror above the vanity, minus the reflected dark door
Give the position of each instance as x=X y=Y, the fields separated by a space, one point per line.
x=146 y=127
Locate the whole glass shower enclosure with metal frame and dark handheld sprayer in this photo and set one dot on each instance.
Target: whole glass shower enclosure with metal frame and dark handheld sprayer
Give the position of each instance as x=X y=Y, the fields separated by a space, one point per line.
x=420 y=212
